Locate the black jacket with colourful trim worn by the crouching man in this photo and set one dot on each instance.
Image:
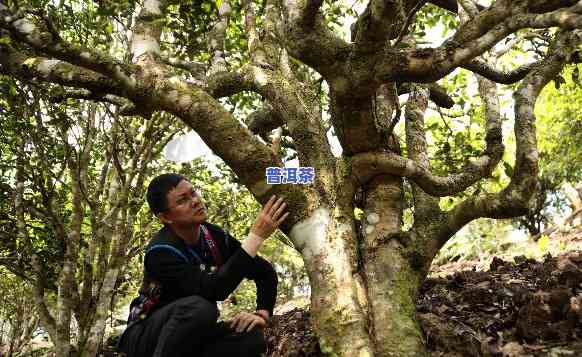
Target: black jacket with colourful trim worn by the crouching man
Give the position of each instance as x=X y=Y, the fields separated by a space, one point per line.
x=181 y=274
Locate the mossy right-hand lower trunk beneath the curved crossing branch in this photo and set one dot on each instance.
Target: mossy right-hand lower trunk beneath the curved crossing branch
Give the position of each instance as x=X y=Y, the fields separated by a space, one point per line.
x=391 y=281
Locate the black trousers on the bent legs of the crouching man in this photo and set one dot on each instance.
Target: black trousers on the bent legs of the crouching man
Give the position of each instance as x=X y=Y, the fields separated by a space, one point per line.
x=188 y=328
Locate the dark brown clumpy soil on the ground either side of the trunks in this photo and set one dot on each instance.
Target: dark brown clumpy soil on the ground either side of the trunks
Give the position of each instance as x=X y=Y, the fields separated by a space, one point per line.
x=507 y=306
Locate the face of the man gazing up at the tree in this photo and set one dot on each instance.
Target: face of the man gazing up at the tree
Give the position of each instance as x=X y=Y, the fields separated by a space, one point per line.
x=185 y=206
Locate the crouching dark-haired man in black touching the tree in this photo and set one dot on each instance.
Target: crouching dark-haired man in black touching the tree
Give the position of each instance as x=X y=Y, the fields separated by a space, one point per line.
x=188 y=266
